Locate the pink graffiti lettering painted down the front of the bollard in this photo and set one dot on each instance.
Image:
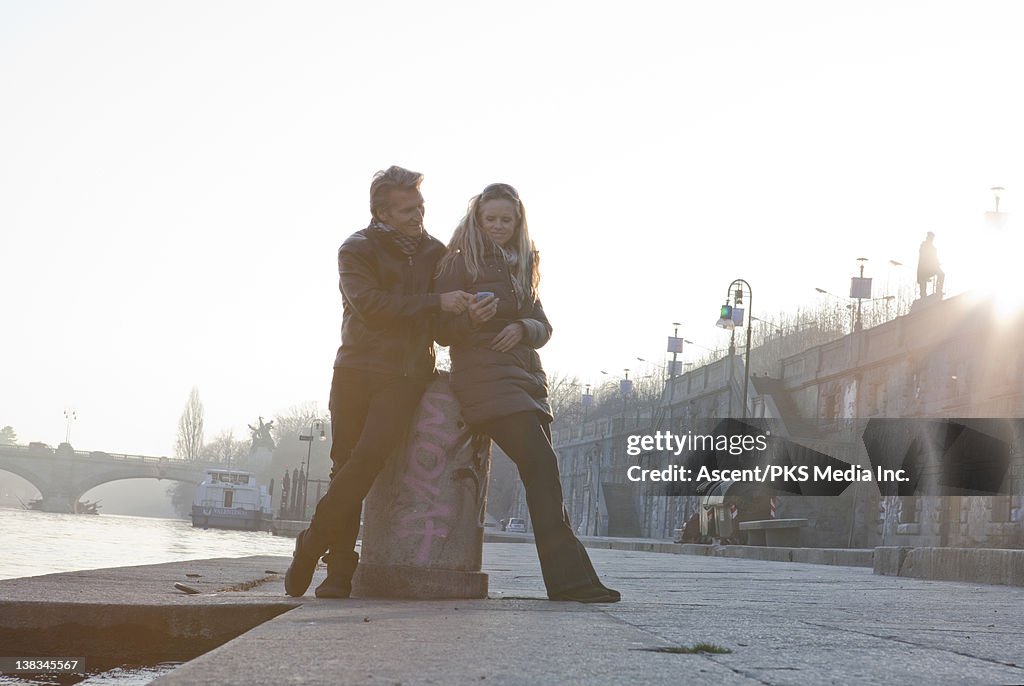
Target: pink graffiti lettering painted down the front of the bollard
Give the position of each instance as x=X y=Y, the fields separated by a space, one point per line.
x=428 y=465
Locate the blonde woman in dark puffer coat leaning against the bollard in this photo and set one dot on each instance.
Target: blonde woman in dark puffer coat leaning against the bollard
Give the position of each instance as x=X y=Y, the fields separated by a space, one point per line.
x=497 y=375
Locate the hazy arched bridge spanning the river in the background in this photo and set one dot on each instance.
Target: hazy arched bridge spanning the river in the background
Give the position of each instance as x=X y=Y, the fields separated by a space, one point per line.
x=64 y=476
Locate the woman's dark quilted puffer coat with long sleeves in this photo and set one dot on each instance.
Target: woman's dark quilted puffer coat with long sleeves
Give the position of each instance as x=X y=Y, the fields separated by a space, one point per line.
x=487 y=383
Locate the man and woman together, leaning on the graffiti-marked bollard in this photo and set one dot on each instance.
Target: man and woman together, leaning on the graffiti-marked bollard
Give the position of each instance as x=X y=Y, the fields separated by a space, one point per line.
x=401 y=289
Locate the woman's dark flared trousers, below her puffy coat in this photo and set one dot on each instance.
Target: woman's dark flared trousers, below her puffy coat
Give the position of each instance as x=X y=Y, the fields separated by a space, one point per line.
x=527 y=440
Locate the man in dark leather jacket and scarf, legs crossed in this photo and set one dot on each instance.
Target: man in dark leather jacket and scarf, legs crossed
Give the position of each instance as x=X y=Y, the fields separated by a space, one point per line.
x=383 y=366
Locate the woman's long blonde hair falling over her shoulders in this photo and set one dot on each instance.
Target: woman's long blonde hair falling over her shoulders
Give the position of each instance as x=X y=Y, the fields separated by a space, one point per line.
x=474 y=244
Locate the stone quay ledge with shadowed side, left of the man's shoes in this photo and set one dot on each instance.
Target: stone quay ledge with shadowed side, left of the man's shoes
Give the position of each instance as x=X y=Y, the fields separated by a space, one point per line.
x=137 y=615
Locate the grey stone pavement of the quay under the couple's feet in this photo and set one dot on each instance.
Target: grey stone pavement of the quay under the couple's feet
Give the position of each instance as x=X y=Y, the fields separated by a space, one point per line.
x=785 y=624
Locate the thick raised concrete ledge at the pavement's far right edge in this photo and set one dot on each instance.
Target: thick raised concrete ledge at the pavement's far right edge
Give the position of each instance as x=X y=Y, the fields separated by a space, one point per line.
x=977 y=566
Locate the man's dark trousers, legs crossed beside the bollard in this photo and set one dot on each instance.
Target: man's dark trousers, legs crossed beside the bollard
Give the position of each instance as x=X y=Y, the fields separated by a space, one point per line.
x=370 y=415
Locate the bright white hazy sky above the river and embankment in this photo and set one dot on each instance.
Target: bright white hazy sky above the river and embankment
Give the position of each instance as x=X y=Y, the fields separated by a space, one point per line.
x=176 y=178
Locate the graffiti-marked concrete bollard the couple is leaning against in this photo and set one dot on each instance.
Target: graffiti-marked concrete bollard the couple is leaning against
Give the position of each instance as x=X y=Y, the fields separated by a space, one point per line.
x=423 y=520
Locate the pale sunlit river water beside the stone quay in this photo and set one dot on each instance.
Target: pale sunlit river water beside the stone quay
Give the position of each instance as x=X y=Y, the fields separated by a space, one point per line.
x=40 y=543
